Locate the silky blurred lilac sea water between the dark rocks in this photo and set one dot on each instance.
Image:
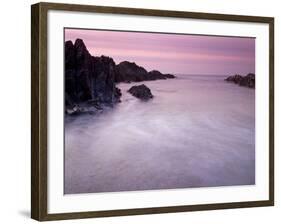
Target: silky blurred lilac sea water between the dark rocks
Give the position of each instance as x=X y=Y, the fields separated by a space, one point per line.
x=197 y=131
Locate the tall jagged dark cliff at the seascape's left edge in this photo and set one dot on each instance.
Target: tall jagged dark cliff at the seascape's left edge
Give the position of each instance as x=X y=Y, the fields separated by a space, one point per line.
x=88 y=79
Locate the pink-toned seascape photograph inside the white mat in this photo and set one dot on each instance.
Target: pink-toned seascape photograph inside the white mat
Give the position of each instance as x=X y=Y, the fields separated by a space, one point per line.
x=153 y=111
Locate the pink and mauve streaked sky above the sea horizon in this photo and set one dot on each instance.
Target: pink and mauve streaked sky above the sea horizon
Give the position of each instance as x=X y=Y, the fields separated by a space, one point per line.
x=171 y=53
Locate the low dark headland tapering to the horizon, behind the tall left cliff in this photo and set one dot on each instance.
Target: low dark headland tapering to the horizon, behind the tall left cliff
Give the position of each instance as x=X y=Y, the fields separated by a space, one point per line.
x=131 y=72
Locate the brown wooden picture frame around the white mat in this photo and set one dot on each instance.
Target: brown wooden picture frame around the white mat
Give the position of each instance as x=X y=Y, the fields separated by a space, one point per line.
x=39 y=105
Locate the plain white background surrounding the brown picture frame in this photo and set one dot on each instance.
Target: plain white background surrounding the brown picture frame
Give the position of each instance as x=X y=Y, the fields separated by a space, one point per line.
x=15 y=111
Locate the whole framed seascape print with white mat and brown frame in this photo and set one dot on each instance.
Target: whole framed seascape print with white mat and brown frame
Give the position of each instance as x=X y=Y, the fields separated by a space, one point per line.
x=139 y=111
